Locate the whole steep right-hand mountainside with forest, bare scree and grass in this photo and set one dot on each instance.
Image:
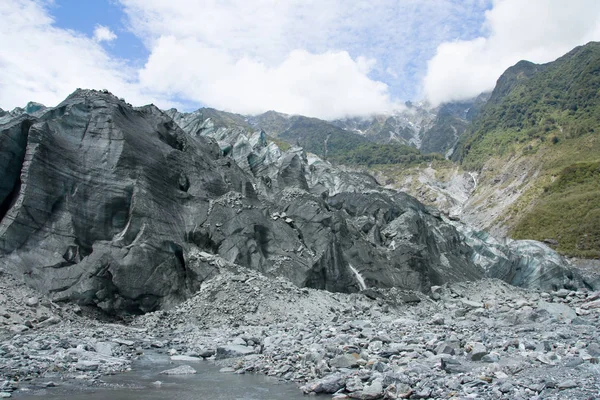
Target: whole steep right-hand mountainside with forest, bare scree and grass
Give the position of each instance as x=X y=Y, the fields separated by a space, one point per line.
x=536 y=148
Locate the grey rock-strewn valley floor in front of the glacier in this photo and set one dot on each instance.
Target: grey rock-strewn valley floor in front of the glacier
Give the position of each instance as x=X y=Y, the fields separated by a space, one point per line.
x=481 y=339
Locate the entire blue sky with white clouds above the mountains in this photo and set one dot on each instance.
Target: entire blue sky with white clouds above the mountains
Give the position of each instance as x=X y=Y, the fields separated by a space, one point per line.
x=323 y=58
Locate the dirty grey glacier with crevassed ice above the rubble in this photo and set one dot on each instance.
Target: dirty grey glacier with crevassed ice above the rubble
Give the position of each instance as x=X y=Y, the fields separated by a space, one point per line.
x=122 y=209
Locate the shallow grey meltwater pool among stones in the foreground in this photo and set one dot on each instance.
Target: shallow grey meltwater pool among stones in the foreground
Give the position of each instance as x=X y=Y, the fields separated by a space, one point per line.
x=208 y=383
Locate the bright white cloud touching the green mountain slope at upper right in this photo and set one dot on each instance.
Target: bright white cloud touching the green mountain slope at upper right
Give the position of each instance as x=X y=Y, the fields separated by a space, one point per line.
x=534 y=30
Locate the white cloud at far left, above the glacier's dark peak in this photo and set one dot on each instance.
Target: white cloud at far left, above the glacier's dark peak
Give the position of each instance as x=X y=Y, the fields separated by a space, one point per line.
x=42 y=63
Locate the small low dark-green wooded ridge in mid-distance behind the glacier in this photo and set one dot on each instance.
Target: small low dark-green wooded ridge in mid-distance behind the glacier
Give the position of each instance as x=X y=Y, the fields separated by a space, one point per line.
x=371 y=154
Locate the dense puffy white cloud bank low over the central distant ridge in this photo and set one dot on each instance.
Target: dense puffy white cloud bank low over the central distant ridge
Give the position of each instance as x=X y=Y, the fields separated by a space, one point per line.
x=327 y=85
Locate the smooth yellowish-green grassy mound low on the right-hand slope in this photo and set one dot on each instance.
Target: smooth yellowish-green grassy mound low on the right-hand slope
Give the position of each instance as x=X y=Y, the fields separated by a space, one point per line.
x=568 y=211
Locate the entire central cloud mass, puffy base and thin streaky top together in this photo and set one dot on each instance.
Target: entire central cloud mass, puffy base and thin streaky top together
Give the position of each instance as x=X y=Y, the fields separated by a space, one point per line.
x=251 y=56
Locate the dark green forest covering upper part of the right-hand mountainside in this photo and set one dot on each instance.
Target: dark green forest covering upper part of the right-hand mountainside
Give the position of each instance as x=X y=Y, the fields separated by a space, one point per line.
x=543 y=103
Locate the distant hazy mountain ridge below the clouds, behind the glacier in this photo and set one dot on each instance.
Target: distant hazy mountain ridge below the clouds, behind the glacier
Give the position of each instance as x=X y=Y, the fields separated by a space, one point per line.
x=431 y=130
